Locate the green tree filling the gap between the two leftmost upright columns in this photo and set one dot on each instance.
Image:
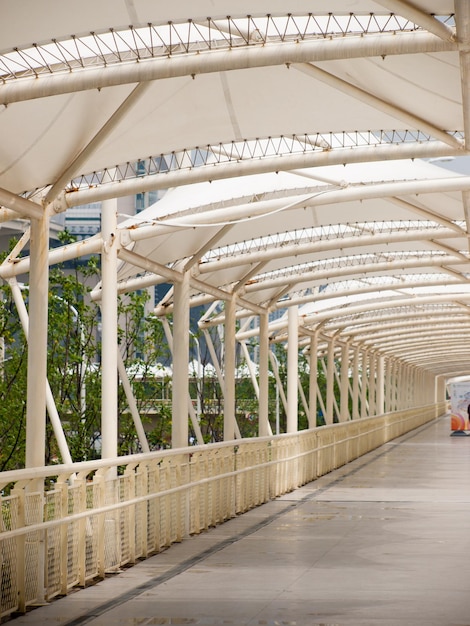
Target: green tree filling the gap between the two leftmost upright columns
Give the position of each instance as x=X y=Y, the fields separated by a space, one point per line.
x=73 y=358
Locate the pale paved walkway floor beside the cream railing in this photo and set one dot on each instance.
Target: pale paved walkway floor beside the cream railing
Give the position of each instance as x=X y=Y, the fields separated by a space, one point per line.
x=383 y=540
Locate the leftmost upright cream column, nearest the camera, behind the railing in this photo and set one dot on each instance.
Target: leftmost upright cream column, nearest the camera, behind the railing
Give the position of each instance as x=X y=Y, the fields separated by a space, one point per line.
x=37 y=346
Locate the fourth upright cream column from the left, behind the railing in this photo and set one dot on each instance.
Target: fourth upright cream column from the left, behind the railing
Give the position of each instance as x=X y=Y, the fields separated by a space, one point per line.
x=229 y=370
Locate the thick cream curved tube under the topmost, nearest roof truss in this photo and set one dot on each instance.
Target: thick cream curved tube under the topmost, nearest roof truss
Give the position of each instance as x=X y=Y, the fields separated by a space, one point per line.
x=249 y=56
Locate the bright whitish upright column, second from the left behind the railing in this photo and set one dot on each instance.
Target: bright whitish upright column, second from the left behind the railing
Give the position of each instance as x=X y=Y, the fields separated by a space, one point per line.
x=109 y=344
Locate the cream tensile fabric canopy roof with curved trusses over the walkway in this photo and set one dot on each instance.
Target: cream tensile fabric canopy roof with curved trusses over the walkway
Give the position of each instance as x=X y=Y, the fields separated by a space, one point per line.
x=295 y=144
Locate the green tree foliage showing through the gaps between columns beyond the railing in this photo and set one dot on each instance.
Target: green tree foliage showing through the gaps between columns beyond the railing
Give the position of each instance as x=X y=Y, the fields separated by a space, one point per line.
x=74 y=374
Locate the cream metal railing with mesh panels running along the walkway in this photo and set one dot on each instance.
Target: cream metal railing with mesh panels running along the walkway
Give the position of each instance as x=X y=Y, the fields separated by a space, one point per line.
x=63 y=526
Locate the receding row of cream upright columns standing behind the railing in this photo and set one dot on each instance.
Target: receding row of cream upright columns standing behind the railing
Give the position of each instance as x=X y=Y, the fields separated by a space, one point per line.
x=359 y=382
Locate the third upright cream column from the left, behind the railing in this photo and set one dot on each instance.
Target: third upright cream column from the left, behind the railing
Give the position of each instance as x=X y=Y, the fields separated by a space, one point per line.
x=180 y=424
